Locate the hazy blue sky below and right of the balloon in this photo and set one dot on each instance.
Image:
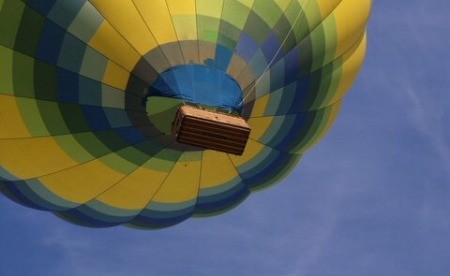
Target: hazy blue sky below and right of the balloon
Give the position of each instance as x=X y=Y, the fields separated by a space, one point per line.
x=373 y=198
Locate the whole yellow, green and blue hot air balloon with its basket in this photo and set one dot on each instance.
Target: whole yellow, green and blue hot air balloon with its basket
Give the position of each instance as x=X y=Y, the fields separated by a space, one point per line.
x=90 y=92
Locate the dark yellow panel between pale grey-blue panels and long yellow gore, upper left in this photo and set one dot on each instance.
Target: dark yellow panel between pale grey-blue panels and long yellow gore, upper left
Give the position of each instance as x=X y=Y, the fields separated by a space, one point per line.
x=111 y=44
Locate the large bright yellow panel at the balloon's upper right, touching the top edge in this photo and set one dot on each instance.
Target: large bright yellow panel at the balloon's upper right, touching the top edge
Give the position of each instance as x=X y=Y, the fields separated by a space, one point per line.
x=351 y=17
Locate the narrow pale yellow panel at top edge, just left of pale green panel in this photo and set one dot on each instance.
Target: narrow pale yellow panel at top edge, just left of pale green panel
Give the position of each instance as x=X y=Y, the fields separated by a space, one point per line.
x=184 y=18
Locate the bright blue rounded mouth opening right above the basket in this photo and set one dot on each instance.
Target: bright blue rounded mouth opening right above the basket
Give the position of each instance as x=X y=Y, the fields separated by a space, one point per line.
x=199 y=85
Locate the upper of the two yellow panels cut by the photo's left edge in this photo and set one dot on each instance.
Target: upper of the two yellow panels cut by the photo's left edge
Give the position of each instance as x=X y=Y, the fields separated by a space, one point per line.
x=11 y=123
